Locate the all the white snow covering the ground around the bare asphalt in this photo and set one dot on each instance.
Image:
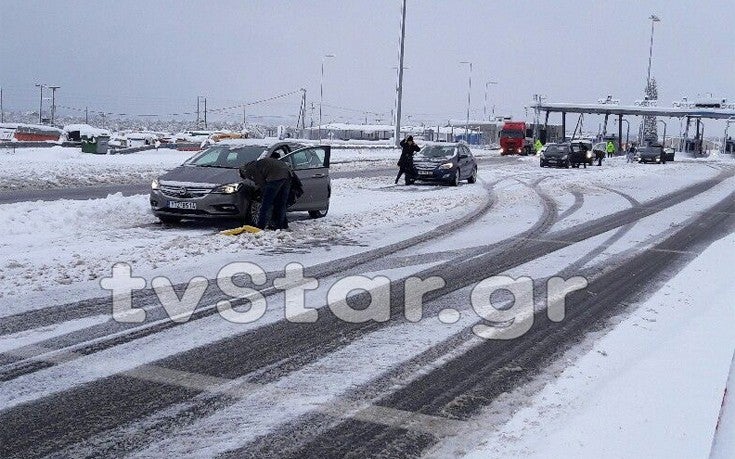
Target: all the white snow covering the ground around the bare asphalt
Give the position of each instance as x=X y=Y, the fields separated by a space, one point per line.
x=651 y=386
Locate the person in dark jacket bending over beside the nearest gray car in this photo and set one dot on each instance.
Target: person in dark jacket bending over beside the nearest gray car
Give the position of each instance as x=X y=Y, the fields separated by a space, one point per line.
x=273 y=177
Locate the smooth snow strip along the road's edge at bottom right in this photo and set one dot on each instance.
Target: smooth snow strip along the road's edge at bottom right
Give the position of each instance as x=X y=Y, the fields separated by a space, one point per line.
x=651 y=387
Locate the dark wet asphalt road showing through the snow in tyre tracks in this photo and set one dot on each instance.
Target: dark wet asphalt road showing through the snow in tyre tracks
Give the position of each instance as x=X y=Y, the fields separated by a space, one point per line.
x=105 y=418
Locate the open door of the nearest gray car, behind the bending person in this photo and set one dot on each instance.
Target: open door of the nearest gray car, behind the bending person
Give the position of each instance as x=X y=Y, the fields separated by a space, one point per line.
x=311 y=165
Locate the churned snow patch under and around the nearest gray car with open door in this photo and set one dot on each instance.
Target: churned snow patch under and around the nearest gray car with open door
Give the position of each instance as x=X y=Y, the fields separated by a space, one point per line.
x=52 y=244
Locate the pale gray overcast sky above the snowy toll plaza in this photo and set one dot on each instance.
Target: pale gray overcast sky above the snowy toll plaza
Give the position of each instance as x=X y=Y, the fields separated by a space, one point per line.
x=155 y=57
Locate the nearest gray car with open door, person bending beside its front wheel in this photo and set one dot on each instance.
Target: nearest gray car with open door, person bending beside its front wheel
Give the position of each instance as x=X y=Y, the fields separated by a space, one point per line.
x=208 y=185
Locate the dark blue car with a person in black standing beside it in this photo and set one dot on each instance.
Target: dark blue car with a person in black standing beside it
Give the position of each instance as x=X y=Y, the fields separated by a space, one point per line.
x=445 y=162
